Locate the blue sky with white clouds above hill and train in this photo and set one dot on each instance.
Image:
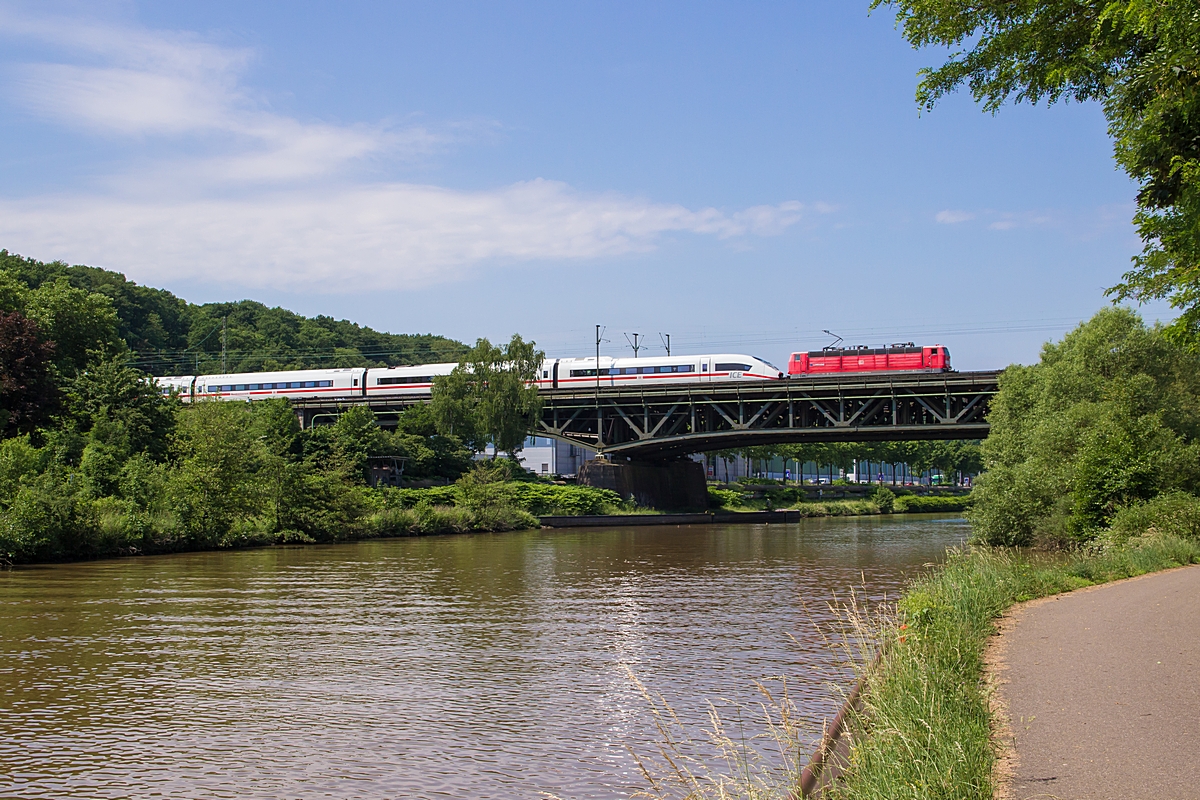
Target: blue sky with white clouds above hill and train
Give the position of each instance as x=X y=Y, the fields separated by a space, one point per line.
x=742 y=177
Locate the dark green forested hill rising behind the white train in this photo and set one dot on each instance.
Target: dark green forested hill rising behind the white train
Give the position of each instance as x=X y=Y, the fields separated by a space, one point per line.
x=172 y=336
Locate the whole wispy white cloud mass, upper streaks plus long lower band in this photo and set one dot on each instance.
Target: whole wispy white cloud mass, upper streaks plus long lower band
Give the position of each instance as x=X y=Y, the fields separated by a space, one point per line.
x=272 y=200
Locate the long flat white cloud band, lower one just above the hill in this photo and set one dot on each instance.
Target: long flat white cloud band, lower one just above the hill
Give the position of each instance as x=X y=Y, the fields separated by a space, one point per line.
x=391 y=236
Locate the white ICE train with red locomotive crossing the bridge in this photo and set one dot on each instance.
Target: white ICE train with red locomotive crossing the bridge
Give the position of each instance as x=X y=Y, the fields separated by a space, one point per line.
x=400 y=383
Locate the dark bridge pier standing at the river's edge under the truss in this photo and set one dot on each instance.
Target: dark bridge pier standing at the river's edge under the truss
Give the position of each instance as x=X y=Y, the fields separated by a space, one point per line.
x=667 y=485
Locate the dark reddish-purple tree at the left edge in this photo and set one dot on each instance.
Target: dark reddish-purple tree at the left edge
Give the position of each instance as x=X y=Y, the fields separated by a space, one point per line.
x=28 y=396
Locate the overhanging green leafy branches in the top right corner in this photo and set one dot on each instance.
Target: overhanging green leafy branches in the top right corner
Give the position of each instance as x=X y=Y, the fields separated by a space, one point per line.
x=1139 y=59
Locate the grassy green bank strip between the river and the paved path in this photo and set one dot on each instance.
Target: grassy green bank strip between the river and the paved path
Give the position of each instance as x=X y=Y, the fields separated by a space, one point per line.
x=926 y=729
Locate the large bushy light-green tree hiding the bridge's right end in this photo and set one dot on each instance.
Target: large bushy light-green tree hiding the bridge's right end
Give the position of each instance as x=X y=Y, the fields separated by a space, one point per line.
x=1108 y=419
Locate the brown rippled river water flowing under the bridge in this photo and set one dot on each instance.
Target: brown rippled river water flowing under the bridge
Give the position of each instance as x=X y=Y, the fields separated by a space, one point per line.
x=484 y=666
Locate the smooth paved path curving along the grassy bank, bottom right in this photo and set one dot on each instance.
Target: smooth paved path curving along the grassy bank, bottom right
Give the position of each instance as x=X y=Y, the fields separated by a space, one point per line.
x=1103 y=691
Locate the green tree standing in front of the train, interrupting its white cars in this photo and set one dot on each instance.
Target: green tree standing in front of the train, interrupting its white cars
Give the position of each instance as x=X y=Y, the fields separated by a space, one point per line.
x=490 y=398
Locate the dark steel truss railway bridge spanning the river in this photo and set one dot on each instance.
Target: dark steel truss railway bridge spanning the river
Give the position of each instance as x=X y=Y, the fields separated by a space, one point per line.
x=657 y=422
